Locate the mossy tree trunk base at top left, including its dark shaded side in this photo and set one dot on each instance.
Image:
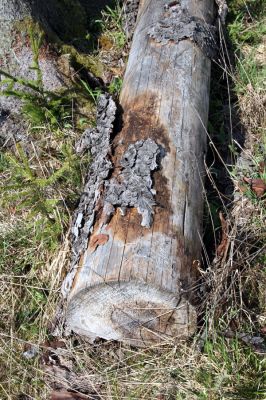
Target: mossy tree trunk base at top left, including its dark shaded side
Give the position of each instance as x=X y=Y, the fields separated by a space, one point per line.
x=63 y=22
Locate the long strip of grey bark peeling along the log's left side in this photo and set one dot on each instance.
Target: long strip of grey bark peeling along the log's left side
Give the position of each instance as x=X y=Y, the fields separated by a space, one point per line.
x=98 y=141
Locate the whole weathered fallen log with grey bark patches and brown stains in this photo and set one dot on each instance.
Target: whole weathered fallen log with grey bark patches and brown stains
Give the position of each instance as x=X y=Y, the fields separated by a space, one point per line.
x=134 y=281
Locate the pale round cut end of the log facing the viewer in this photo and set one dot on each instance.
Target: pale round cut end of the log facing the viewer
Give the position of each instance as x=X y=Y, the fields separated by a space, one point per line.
x=134 y=312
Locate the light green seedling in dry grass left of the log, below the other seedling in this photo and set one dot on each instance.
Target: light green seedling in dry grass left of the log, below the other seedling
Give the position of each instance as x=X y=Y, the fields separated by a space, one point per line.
x=40 y=192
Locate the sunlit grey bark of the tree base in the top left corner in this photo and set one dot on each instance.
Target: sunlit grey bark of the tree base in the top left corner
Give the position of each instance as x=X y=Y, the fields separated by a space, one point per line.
x=16 y=58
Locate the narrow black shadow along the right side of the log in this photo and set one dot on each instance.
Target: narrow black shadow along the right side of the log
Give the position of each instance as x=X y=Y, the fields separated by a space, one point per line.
x=226 y=137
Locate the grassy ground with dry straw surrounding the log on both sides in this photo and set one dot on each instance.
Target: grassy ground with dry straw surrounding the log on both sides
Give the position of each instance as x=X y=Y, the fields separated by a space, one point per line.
x=38 y=193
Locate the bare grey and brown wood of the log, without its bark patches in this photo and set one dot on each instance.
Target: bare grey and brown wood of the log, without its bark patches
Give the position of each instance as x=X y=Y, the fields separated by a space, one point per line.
x=138 y=284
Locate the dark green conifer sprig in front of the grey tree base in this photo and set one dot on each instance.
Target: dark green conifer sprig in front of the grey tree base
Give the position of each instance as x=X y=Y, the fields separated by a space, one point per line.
x=39 y=106
